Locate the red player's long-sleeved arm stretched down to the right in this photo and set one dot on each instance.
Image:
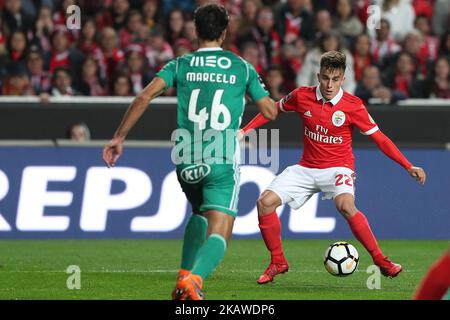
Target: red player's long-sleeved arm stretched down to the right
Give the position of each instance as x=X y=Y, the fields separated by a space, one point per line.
x=361 y=118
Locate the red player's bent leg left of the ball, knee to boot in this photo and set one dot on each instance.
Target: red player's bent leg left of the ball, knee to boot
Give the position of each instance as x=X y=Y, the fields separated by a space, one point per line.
x=270 y=227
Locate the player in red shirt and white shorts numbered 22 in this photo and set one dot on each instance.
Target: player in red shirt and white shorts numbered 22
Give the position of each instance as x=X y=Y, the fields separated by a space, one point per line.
x=327 y=165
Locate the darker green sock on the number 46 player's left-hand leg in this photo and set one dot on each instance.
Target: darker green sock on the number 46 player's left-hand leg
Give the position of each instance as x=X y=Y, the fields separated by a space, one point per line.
x=194 y=238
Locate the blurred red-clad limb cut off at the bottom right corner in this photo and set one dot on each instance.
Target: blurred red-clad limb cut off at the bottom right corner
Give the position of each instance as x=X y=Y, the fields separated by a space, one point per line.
x=437 y=281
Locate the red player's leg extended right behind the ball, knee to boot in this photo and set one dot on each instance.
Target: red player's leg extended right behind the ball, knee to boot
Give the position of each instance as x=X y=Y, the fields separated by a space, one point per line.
x=361 y=230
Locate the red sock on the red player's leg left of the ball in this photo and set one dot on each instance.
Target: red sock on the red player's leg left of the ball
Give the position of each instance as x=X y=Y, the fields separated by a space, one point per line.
x=270 y=227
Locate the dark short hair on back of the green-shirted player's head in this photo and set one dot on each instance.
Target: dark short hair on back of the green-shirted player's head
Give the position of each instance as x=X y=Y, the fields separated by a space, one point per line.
x=211 y=20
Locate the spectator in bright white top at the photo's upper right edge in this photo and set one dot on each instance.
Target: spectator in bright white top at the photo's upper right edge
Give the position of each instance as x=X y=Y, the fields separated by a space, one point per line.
x=400 y=15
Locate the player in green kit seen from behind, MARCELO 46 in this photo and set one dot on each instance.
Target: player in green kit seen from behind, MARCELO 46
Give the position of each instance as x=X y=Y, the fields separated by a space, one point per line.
x=211 y=87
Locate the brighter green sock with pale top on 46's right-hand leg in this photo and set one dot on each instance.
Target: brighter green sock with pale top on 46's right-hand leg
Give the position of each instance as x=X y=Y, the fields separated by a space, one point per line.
x=209 y=255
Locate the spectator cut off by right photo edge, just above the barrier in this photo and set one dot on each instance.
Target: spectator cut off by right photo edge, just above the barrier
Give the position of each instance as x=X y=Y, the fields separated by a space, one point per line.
x=437 y=85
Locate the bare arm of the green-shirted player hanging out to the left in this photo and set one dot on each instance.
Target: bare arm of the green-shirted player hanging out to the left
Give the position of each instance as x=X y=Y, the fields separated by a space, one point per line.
x=113 y=150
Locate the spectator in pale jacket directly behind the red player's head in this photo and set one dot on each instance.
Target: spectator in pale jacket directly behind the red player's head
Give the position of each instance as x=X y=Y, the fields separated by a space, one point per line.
x=328 y=42
